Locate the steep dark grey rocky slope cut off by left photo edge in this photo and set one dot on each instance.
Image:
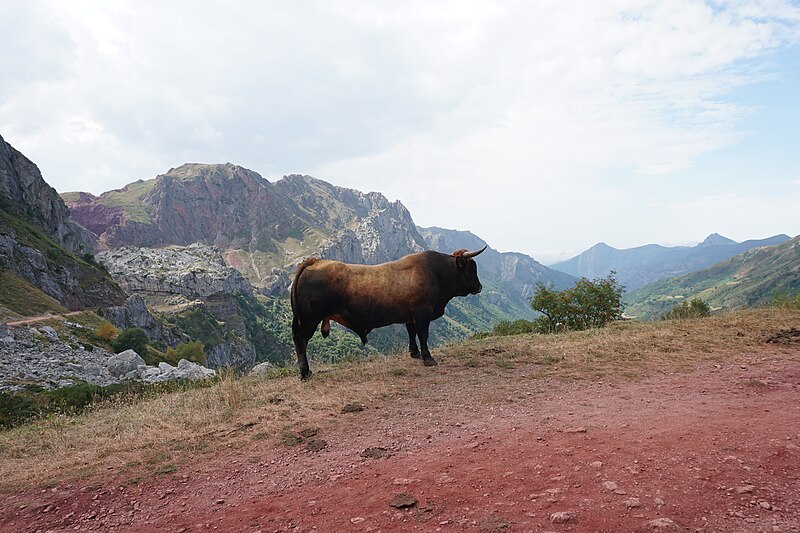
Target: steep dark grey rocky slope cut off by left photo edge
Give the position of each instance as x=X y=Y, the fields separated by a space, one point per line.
x=44 y=259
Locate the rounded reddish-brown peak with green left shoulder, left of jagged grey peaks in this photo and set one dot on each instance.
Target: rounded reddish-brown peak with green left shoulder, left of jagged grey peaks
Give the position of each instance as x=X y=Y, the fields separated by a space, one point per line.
x=227 y=206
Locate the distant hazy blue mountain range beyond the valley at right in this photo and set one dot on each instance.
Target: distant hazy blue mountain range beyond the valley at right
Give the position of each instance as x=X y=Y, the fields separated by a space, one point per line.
x=636 y=267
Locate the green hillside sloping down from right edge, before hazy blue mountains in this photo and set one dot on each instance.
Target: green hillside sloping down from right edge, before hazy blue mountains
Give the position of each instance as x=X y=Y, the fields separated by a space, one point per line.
x=745 y=280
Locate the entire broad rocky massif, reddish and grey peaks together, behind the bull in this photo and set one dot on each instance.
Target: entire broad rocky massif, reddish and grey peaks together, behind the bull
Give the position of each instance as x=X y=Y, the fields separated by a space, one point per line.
x=260 y=226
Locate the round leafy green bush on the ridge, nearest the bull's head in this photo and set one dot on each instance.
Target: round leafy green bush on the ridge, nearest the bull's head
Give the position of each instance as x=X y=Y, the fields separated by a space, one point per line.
x=589 y=304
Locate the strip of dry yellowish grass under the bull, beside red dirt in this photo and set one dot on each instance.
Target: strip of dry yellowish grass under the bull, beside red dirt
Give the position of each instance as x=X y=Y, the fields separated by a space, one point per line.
x=145 y=437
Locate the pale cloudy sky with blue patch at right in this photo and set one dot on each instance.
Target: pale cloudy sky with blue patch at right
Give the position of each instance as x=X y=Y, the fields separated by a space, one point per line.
x=543 y=127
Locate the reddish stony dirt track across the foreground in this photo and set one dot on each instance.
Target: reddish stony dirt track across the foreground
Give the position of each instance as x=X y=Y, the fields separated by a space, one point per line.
x=714 y=450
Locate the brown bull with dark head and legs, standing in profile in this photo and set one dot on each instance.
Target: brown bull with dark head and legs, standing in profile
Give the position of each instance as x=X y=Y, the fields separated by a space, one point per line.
x=412 y=290
